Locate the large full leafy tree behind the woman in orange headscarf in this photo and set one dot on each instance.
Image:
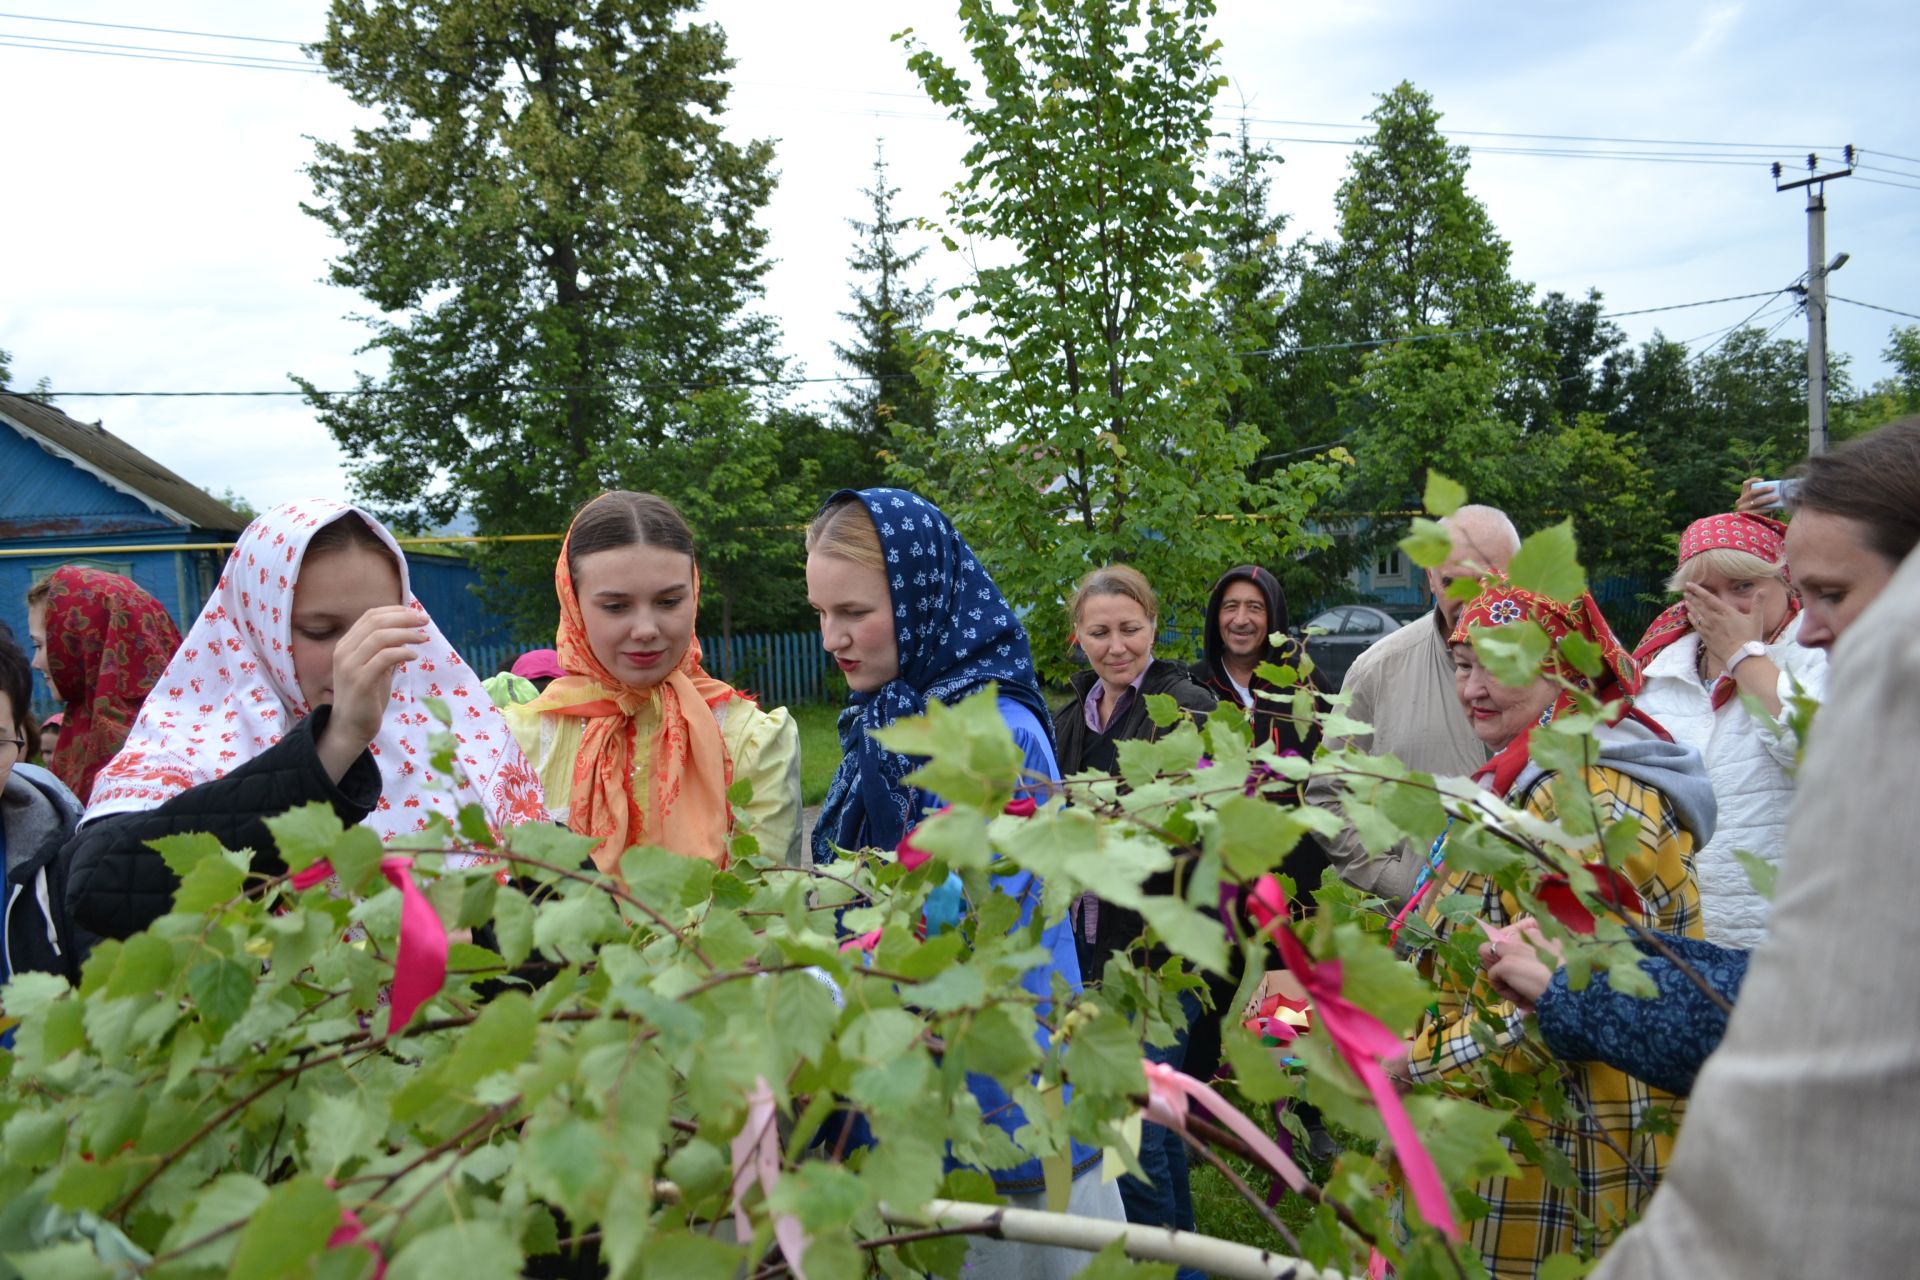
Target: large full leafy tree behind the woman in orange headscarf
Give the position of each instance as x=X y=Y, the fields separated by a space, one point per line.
x=562 y=250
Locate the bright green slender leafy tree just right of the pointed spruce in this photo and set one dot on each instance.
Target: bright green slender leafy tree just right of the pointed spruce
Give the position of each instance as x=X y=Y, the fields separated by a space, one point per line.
x=1088 y=381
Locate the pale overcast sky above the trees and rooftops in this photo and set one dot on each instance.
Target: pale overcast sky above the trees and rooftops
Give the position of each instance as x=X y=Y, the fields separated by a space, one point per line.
x=153 y=233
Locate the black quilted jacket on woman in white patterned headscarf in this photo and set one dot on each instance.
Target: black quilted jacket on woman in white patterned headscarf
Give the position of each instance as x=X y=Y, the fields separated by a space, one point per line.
x=118 y=886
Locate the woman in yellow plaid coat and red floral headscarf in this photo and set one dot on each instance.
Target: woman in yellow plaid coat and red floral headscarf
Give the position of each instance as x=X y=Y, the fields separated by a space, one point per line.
x=1643 y=778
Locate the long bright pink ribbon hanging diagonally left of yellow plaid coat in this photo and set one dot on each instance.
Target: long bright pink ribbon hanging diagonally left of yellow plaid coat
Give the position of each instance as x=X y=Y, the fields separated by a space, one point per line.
x=1362 y=1043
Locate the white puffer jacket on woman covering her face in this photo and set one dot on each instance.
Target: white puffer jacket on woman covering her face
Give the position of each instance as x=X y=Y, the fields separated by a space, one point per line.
x=1750 y=763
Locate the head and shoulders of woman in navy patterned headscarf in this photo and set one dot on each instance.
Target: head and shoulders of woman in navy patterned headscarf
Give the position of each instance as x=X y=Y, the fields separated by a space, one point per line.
x=911 y=617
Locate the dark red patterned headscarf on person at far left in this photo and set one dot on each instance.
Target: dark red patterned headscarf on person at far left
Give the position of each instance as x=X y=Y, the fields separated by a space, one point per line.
x=107 y=646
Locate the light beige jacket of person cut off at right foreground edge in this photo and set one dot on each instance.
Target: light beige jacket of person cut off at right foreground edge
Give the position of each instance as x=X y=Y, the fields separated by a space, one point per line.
x=1802 y=1141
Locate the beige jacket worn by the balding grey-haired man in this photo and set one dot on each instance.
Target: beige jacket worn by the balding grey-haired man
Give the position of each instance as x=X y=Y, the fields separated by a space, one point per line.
x=1404 y=688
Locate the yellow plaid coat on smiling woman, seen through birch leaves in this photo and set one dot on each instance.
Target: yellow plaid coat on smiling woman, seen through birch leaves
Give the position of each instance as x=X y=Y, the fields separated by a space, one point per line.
x=1531 y=1220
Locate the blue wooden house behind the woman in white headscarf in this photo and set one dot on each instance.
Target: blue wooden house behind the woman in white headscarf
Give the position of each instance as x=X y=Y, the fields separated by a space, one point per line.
x=76 y=494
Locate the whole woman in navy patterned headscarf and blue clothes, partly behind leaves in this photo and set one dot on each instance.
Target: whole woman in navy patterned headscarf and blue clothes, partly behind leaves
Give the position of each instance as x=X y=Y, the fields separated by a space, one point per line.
x=913 y=619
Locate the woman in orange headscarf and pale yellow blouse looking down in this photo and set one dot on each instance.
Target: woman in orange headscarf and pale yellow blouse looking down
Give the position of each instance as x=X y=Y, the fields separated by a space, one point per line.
x=638 y=744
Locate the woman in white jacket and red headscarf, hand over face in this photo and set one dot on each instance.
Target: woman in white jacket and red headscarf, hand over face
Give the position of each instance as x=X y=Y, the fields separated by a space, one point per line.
x=1721 y=667
